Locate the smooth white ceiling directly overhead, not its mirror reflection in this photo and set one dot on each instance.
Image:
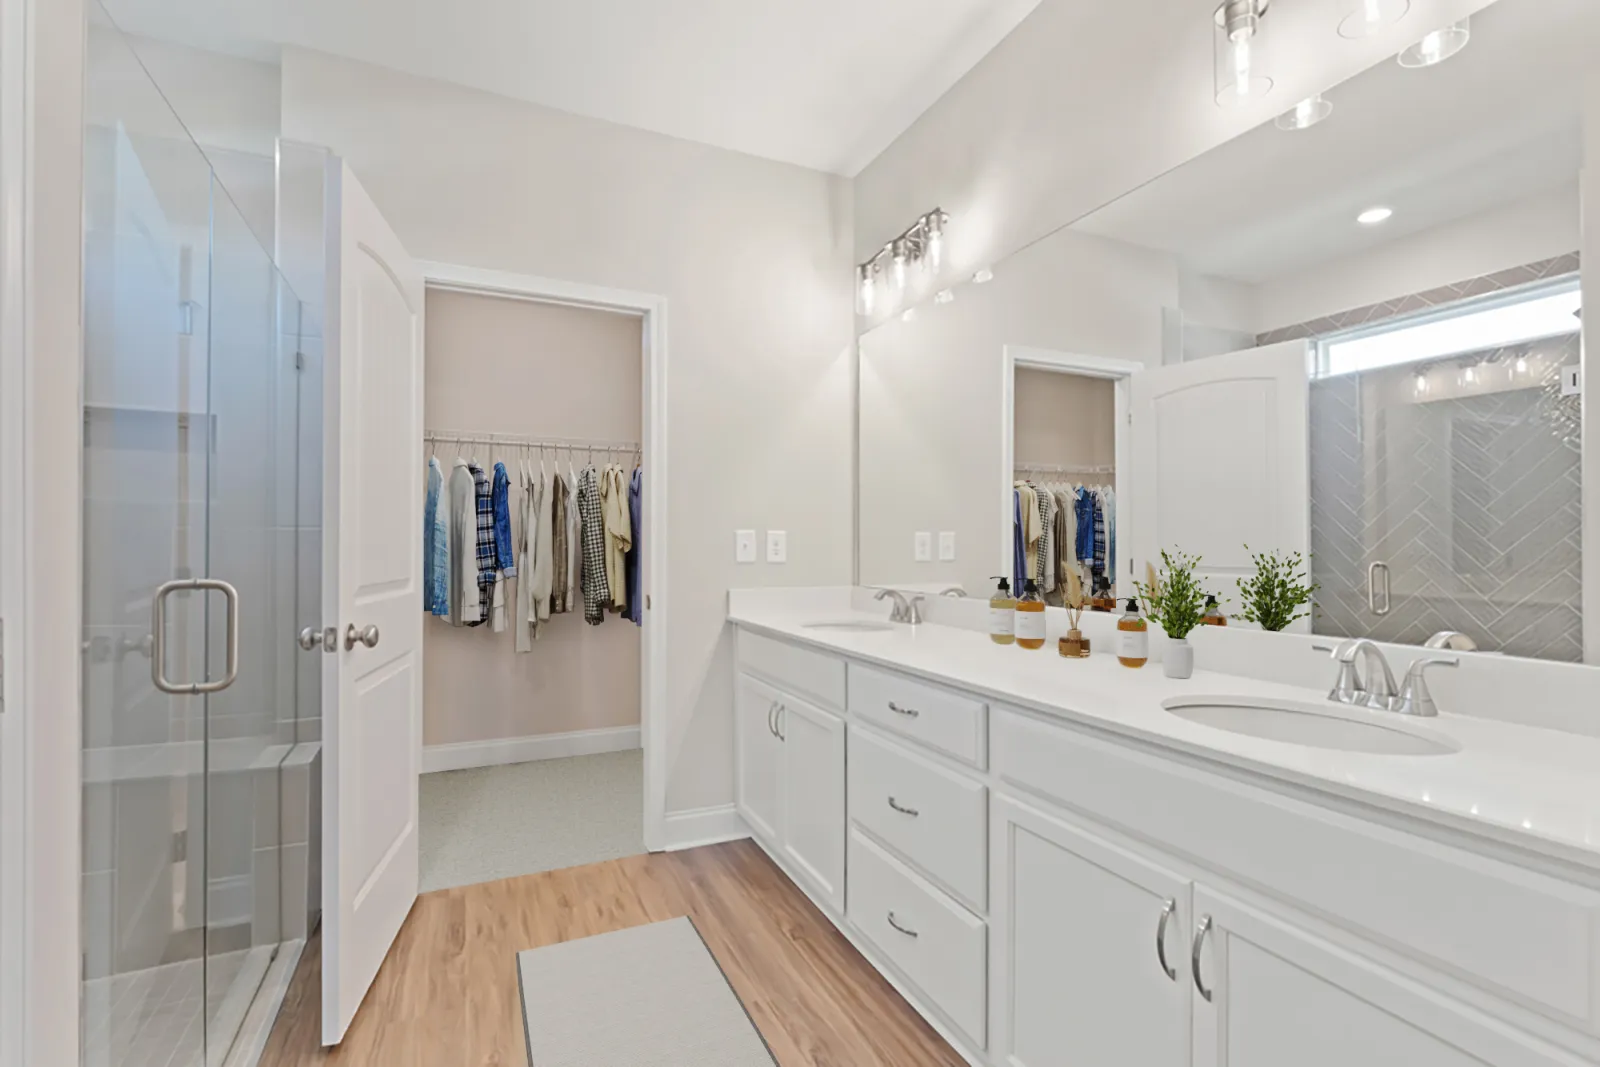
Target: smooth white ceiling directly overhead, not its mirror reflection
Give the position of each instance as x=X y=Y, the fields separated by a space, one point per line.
x=825 y=84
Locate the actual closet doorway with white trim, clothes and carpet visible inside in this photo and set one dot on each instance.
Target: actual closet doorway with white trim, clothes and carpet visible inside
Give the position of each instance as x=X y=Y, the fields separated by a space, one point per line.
x=542 y=748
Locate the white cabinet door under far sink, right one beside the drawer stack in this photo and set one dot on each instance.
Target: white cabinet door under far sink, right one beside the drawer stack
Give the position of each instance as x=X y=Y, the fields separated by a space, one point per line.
x=814 y=743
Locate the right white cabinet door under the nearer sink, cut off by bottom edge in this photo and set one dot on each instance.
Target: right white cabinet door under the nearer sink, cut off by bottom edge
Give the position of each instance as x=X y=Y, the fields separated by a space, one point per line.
x=1282 y=996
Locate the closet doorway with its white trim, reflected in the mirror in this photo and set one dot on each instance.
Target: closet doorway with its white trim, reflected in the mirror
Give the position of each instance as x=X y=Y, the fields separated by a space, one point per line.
x=1065 y=442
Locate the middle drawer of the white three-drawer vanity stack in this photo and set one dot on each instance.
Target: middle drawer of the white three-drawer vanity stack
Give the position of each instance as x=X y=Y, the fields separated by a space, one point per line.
x=934 y=818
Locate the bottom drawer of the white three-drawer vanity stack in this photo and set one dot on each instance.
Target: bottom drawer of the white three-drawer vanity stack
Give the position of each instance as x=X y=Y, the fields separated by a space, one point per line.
x=935 y=943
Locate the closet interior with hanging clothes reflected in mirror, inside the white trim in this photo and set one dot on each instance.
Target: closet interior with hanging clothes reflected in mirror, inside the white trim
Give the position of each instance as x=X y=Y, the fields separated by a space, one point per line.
x=1065 y=446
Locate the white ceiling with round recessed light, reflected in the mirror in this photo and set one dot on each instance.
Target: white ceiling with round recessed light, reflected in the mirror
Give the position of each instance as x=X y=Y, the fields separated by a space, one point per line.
x=1490 y=127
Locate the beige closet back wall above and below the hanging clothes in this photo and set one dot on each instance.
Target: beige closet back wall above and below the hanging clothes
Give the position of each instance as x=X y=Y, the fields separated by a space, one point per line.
x=535 y=370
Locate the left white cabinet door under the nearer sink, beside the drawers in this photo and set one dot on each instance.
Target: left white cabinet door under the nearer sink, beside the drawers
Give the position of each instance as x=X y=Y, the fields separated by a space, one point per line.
x=1089 y=961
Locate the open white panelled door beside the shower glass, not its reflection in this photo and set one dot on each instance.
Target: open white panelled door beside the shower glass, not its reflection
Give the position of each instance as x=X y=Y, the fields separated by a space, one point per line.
x=372 y=586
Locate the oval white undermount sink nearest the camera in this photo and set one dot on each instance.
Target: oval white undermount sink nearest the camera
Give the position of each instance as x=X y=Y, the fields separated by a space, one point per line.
x=1314 y=725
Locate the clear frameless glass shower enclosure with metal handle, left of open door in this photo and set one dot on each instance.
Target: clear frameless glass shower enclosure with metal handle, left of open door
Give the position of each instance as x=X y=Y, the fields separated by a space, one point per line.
x=190 y=481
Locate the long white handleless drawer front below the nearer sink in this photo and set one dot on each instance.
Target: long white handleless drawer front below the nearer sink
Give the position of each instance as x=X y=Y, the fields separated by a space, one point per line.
x=1516 y=932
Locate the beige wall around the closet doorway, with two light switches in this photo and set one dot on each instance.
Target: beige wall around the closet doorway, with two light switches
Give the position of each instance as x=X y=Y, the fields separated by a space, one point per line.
x=756 y=263
